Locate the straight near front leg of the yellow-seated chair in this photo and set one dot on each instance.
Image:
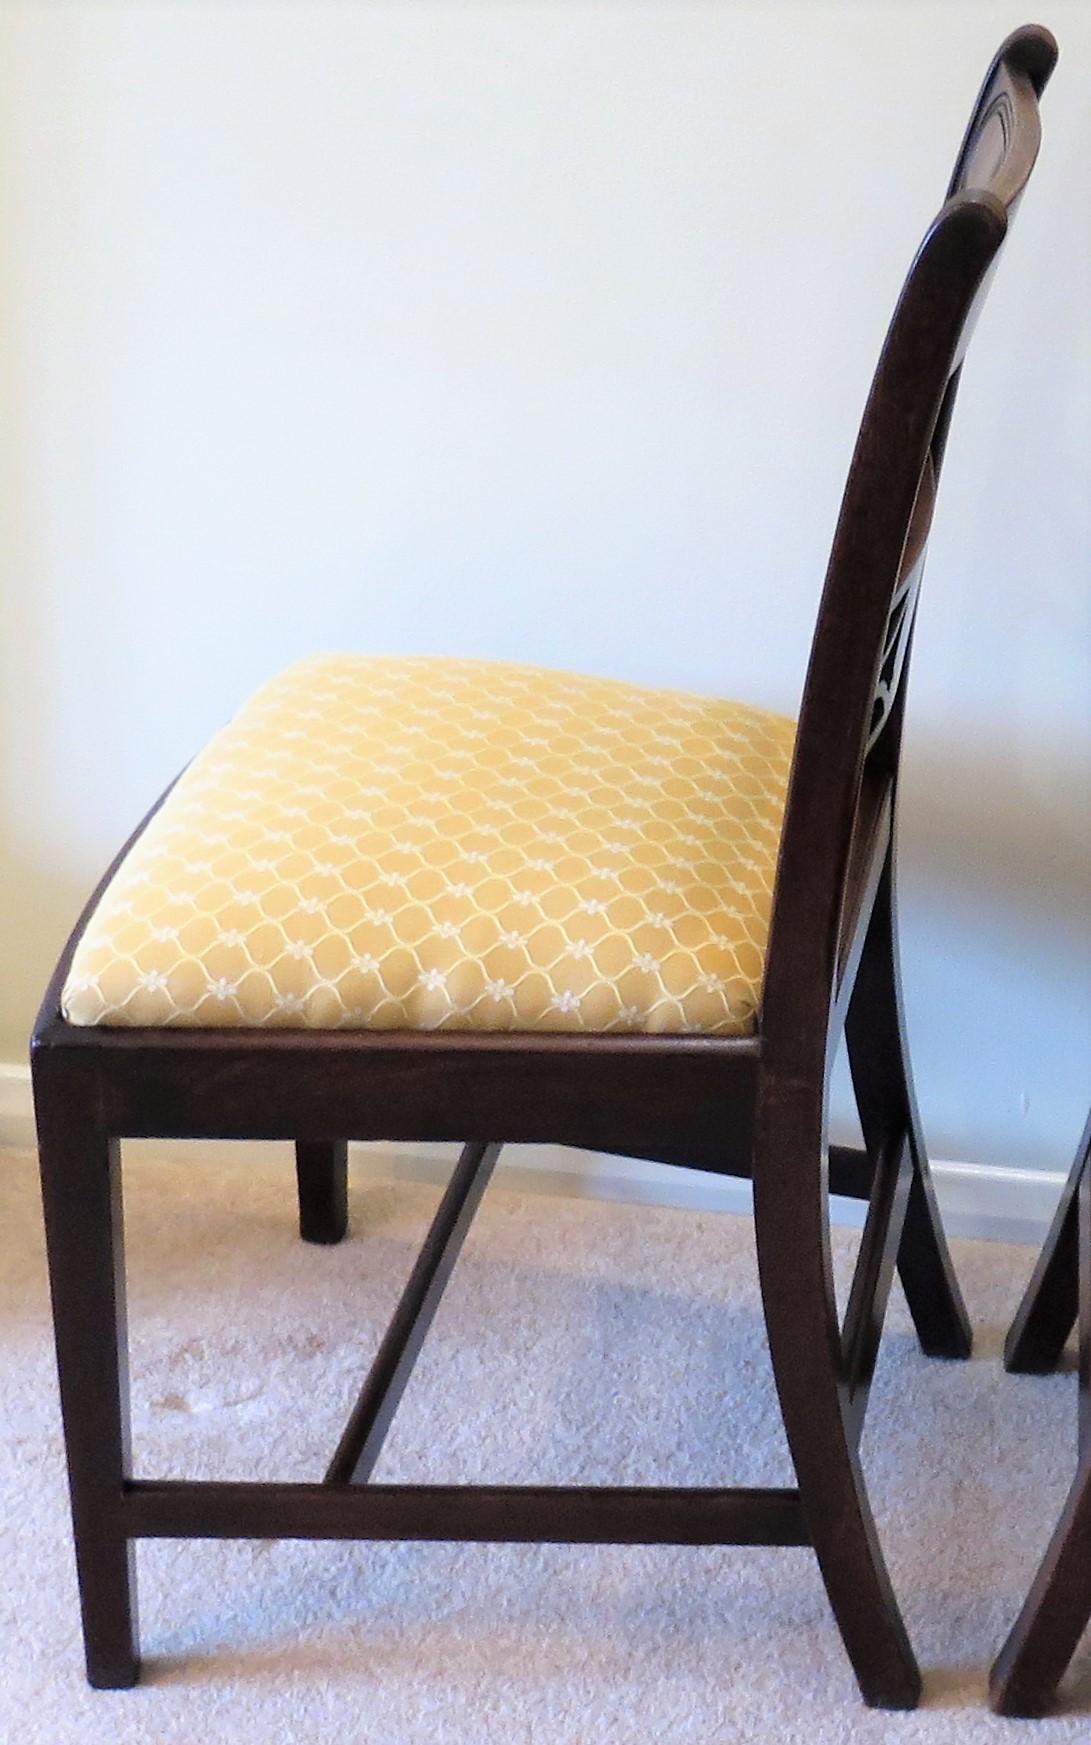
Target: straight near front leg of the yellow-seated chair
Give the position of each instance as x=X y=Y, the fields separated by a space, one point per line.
x=81 y=1194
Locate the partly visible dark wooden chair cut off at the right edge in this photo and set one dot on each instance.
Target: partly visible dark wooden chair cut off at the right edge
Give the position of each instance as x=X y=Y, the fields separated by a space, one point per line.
x=1057 y=1610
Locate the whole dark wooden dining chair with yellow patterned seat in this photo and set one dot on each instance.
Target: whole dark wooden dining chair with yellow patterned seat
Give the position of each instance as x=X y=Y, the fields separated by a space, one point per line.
x=717 y=1069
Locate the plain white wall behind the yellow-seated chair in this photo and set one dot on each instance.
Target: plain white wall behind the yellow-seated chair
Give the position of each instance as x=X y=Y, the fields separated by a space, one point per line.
x=542 y=331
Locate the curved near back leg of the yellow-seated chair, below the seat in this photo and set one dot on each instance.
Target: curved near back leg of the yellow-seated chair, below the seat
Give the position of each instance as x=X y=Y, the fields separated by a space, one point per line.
x=806 y=1346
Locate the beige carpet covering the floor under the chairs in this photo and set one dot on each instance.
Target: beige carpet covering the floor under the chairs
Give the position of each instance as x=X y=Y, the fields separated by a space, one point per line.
x=577 y=1343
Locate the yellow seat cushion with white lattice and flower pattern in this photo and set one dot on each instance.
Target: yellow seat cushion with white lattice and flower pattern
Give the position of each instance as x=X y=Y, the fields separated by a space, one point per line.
x=383 y=844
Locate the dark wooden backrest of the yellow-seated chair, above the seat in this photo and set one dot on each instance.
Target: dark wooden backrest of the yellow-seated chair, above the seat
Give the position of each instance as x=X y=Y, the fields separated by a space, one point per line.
x=841 y=800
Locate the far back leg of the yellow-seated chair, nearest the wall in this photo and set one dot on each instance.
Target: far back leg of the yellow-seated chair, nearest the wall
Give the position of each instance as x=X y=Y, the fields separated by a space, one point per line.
x=879 y=1057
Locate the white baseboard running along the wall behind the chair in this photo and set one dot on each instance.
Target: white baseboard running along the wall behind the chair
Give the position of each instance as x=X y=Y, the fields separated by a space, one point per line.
x=998 y=1205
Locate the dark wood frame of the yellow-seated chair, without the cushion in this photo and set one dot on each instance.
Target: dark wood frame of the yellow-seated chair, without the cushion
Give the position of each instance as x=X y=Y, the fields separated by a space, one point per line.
x=751 y=1107
